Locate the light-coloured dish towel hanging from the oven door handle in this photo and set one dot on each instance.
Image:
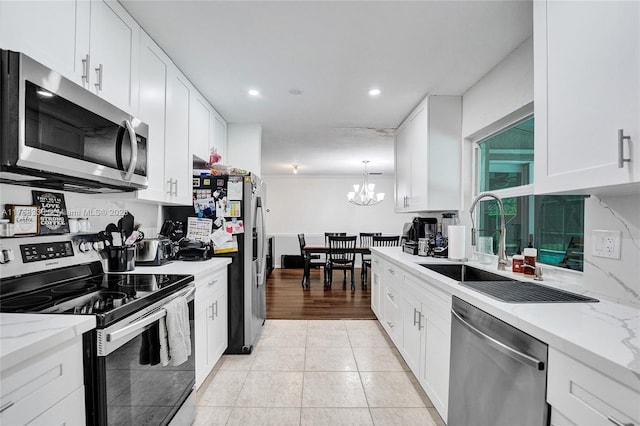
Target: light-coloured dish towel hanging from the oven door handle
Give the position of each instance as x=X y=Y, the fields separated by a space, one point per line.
x=175 y=333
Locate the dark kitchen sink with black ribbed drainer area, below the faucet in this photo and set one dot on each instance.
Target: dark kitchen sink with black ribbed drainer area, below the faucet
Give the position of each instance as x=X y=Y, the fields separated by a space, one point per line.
x=503 y=288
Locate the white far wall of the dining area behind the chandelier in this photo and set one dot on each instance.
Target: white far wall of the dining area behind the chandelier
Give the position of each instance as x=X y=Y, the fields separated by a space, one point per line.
x=314 y=205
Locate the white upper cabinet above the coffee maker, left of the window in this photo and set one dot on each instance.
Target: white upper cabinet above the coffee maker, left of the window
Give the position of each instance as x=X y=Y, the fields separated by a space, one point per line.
x=427 y=161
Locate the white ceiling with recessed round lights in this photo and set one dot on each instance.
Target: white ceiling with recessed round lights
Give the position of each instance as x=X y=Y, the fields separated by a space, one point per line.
x=333 y=52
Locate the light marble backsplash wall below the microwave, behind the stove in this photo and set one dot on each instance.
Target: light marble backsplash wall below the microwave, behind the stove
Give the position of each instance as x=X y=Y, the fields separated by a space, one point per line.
x=100 y=209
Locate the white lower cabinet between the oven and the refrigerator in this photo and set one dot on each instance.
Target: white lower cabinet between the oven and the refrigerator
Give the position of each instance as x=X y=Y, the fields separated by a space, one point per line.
x=211 y=321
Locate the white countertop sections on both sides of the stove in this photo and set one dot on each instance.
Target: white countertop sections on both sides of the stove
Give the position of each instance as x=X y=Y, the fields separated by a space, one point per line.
x=26 y=335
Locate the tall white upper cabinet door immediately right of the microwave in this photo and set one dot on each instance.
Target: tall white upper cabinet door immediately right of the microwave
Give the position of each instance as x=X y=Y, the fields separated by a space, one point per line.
x=153 y=84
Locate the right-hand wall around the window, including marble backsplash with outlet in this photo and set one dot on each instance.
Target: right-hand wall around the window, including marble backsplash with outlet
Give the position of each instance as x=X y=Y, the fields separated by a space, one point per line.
x=507 y=92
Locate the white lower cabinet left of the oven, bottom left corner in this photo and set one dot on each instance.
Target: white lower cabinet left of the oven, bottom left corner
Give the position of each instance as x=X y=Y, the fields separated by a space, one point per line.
x=46 y=389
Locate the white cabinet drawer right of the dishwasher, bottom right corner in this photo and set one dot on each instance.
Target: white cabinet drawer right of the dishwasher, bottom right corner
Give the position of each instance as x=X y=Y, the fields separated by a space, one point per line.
x=586 y=396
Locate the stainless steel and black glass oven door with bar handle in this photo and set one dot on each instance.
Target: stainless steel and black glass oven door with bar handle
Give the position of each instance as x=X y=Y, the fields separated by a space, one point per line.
x=131 y=386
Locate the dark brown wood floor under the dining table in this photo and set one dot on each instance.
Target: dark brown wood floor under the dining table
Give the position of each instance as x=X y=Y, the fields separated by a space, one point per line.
x=286 y=299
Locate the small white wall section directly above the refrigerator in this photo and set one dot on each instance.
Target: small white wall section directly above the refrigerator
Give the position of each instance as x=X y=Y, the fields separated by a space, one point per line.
x=244 y=147
